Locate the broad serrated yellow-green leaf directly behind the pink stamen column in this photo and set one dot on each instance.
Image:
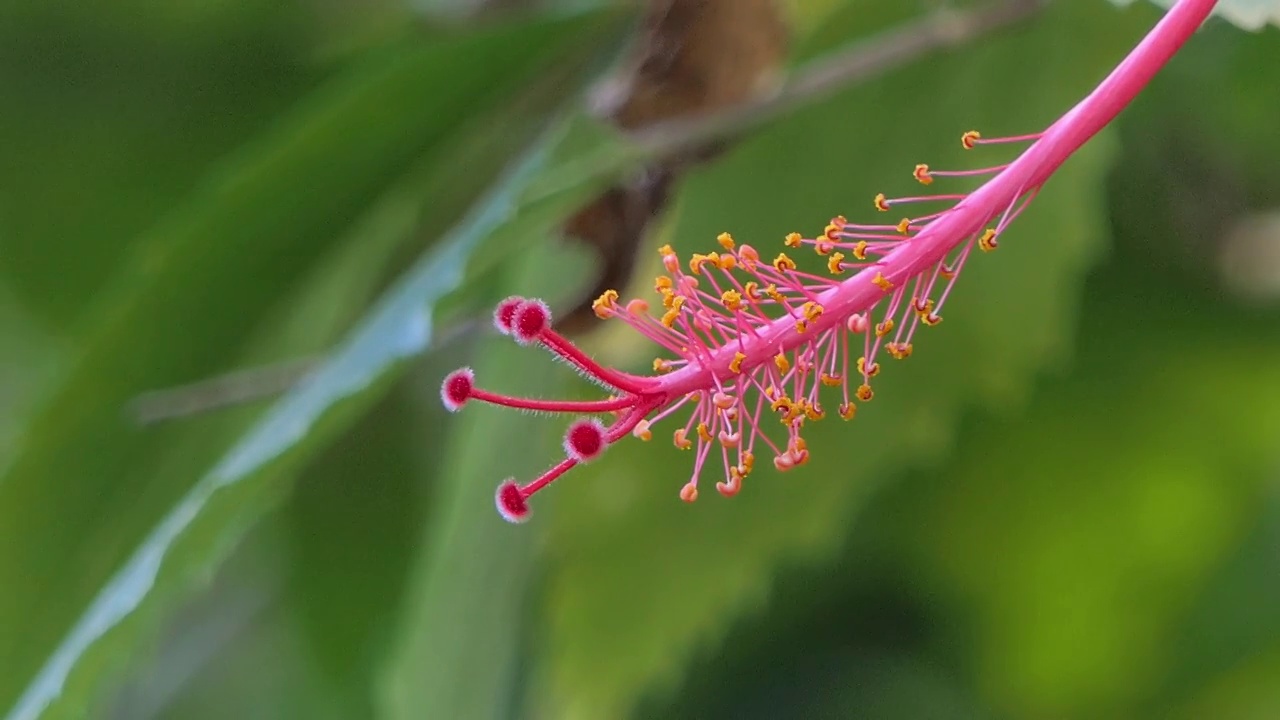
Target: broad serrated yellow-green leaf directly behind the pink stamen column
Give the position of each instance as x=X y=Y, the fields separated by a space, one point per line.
x=638 y=581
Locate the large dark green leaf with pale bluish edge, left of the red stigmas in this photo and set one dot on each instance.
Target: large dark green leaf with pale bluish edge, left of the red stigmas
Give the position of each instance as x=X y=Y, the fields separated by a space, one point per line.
x=134 y=525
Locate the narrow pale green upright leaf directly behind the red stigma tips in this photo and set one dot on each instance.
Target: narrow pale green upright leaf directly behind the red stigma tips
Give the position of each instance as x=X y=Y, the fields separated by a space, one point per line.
x=464 y=628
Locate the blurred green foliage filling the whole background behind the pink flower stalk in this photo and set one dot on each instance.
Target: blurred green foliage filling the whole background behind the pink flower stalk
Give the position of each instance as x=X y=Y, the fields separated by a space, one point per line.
x=1064 y=505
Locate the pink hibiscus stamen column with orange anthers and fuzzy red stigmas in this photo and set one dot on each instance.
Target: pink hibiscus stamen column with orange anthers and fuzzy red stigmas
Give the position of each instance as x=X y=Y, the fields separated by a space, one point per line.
x=752 y=341
